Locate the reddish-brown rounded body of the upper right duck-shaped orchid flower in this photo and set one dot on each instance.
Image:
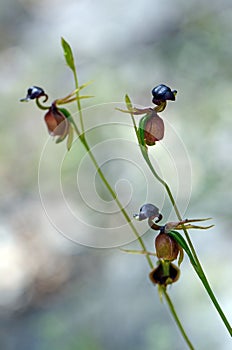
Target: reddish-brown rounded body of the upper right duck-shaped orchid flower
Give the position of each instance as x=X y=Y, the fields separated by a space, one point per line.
x=151 y=128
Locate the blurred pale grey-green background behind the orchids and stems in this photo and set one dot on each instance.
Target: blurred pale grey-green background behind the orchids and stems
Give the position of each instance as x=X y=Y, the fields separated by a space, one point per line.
x=55 y=293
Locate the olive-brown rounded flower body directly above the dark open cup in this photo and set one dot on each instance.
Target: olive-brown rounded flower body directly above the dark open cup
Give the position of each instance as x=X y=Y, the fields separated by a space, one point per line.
x=166 y=247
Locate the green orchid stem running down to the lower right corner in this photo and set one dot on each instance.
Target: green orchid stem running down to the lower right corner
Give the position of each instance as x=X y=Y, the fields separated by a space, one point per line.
x=197 y=266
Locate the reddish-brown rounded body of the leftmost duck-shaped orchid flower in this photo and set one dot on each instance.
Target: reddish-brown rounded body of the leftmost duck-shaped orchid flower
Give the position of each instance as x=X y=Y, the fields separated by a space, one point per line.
x=57 y=123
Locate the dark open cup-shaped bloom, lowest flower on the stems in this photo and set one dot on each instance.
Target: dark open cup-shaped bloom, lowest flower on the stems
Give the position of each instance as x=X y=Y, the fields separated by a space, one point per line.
x=166 y=273
